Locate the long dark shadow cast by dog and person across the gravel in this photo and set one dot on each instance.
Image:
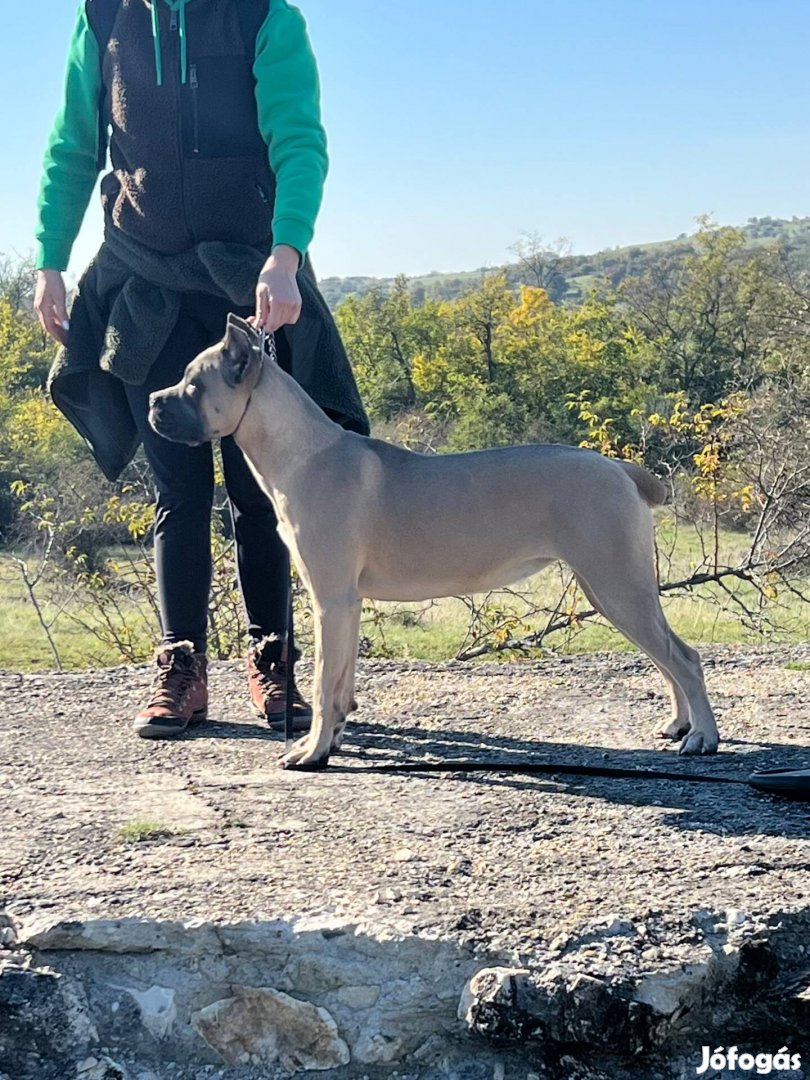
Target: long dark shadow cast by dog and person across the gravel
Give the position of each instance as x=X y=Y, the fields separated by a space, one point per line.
x=725 y=809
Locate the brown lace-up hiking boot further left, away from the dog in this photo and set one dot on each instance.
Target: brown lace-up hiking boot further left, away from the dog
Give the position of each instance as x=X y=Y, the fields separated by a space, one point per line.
x=180 y=694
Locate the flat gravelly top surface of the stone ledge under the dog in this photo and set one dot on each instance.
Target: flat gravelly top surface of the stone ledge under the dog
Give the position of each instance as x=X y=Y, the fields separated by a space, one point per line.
x=521 y=867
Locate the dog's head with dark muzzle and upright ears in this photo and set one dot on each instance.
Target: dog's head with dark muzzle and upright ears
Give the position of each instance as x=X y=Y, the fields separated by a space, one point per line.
x=212 y=397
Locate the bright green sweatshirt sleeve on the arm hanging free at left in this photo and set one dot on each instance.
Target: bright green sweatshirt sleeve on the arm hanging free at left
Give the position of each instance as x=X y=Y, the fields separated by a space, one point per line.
x=72 y=159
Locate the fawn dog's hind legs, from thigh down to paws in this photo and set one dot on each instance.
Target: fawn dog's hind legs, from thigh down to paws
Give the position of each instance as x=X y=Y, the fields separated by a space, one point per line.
x=631 y=602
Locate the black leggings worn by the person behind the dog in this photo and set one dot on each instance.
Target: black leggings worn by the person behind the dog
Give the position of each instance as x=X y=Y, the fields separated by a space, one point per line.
x=184 y=481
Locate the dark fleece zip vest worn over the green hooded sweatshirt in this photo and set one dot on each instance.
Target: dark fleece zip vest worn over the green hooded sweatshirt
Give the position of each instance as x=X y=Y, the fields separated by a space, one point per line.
x=190 y=164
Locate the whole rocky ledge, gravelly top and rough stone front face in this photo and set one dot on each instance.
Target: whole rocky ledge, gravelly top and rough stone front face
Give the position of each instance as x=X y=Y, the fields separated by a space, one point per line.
x=445 y=925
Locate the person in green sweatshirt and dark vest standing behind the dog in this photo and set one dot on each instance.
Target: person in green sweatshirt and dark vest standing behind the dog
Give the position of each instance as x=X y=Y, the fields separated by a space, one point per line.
x=211 y=114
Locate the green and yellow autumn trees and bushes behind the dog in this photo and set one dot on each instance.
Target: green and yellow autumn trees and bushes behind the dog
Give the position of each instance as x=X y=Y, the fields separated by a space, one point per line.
x=697 y=367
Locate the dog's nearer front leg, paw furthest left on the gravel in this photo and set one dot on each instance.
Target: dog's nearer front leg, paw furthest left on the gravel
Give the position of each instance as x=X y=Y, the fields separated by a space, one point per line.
x=335 y=640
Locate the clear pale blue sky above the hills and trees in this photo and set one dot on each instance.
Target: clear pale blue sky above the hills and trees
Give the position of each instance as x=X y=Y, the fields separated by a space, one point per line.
x=455 y=126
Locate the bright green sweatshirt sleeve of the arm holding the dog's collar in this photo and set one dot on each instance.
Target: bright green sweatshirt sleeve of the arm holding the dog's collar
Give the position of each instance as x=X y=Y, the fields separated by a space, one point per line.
x=289 y=101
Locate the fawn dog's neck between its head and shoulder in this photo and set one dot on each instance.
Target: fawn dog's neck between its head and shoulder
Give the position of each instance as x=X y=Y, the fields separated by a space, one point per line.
x=282 y=428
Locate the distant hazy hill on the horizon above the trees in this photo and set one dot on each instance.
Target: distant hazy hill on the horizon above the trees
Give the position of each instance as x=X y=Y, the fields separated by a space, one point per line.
x=570 y=277
